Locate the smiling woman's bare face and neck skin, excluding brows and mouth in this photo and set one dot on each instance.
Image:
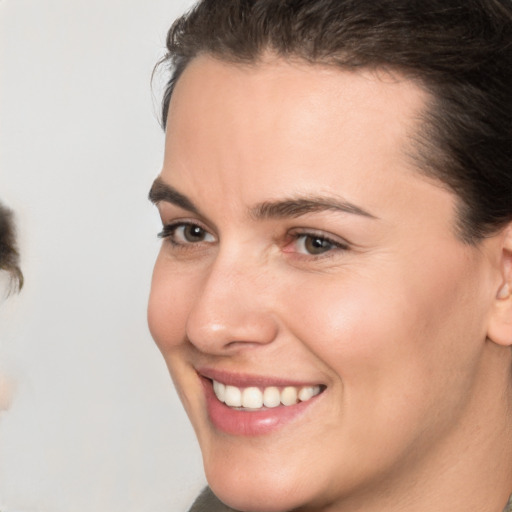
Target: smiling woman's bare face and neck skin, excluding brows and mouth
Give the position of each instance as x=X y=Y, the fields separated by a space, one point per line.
x=394 y=317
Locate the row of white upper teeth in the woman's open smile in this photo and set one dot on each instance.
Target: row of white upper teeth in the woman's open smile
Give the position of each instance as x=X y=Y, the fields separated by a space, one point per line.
x=254 y=398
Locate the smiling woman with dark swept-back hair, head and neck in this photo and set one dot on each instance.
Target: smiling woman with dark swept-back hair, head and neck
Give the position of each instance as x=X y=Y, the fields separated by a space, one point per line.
x=333 y=292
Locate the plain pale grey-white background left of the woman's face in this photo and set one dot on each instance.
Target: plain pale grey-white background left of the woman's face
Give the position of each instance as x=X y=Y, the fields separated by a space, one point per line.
x=95 y=425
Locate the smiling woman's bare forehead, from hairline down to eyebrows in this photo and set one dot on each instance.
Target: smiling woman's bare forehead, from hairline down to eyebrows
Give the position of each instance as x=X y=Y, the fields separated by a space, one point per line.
x=293 y=127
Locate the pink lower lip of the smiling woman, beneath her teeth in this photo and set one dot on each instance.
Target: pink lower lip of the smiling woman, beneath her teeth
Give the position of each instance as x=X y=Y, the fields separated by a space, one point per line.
x=250 y=423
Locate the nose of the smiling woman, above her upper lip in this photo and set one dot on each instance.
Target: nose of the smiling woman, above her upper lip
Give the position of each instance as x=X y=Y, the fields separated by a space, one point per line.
x=232 y=310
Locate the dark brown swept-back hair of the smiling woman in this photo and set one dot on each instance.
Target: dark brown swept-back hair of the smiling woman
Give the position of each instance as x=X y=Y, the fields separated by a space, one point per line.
x=459 y=51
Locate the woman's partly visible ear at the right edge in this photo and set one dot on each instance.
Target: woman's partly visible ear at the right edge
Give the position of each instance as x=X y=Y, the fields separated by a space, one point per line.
x=500 y=324
